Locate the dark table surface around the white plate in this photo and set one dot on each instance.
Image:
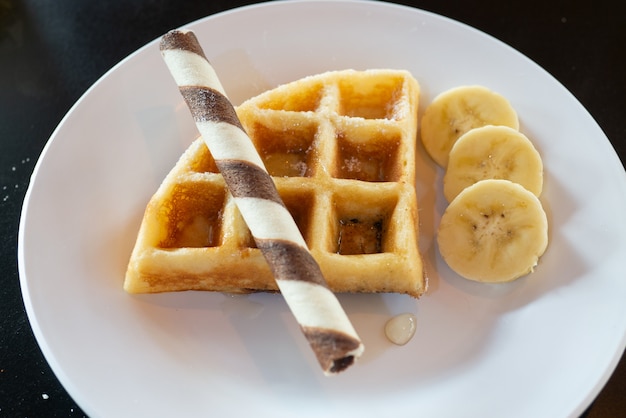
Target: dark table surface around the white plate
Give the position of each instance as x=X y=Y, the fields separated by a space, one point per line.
x=52 y=51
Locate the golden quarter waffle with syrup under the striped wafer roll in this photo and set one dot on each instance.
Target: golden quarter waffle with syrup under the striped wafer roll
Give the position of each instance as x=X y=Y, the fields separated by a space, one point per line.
x=340 y=147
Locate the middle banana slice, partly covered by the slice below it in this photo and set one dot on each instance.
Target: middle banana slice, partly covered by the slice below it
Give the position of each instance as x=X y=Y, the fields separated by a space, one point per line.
x=493 y=152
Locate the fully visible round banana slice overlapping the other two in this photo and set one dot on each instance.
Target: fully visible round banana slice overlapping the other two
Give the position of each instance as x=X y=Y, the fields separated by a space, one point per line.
x=493 y=231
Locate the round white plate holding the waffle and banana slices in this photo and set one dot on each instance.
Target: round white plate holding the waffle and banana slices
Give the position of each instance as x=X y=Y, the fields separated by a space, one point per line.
x=541 y=346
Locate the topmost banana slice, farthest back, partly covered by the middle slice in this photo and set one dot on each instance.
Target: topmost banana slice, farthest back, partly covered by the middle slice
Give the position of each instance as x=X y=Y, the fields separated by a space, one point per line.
x=456 y=111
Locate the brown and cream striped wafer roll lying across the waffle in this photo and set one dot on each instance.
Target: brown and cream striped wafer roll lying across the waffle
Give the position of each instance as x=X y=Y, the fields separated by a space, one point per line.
x=298 y=276
